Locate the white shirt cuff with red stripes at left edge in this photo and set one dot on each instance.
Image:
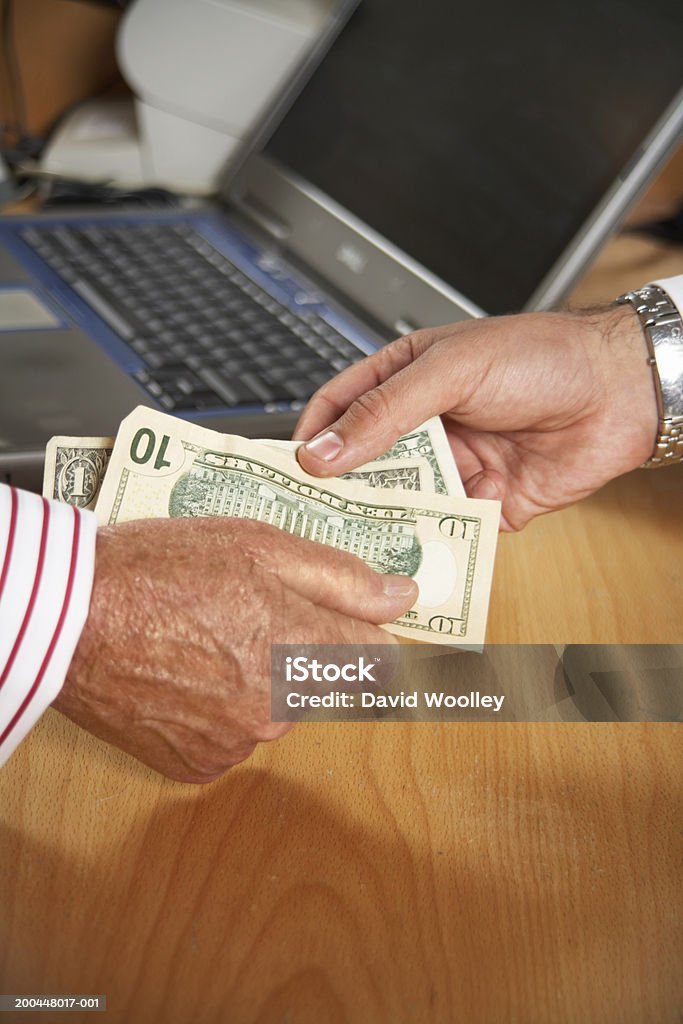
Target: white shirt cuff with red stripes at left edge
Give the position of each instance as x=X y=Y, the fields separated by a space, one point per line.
x=48 y=557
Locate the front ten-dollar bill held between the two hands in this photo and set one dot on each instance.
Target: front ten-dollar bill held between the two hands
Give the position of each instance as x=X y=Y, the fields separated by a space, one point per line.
x=164 y=467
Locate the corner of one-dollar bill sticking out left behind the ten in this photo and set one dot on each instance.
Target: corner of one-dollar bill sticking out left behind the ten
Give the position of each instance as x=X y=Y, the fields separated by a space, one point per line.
x=75 y=468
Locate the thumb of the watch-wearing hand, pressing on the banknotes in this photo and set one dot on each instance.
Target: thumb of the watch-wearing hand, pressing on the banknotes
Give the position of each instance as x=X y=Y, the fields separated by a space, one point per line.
x=377 y=418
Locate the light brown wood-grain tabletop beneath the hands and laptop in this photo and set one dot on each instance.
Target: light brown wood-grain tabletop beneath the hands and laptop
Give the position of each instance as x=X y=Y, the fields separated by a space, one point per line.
x=387 y=874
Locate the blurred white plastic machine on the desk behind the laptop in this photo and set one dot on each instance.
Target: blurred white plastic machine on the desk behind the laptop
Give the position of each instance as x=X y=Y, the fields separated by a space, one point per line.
x=210 y=80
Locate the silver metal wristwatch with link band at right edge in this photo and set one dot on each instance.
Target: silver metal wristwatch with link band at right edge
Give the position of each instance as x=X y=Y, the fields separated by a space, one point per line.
x=663 y=327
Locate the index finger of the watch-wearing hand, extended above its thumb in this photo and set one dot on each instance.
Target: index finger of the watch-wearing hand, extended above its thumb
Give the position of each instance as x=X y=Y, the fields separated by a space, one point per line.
x=334 y=398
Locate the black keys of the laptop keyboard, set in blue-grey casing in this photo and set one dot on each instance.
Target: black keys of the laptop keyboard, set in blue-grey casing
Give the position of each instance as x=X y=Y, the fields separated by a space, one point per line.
x=208 y=335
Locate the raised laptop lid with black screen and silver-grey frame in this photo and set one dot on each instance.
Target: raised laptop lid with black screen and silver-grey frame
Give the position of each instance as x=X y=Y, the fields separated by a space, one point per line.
x=497 y=146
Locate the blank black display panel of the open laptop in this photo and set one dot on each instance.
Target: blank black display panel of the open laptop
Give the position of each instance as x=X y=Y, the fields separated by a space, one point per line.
x=480 y=138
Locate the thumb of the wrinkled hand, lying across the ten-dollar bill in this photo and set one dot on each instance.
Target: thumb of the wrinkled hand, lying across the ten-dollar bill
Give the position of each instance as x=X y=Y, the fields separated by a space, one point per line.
x=336 y=580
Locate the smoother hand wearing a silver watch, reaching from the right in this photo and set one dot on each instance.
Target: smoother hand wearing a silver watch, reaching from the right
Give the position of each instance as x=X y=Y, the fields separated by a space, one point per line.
x=540 y=410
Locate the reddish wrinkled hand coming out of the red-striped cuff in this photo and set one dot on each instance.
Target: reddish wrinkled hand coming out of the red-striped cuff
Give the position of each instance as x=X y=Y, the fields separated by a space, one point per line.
x=175 y=663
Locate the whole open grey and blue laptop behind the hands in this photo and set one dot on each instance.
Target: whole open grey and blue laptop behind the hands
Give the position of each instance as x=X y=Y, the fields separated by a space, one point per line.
x=444 y=162
